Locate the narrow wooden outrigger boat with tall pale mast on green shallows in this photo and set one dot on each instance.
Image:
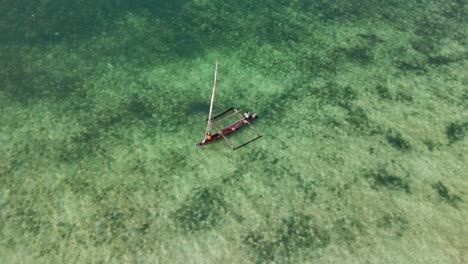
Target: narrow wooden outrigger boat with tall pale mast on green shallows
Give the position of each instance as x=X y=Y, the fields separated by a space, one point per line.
x=222 y=132
